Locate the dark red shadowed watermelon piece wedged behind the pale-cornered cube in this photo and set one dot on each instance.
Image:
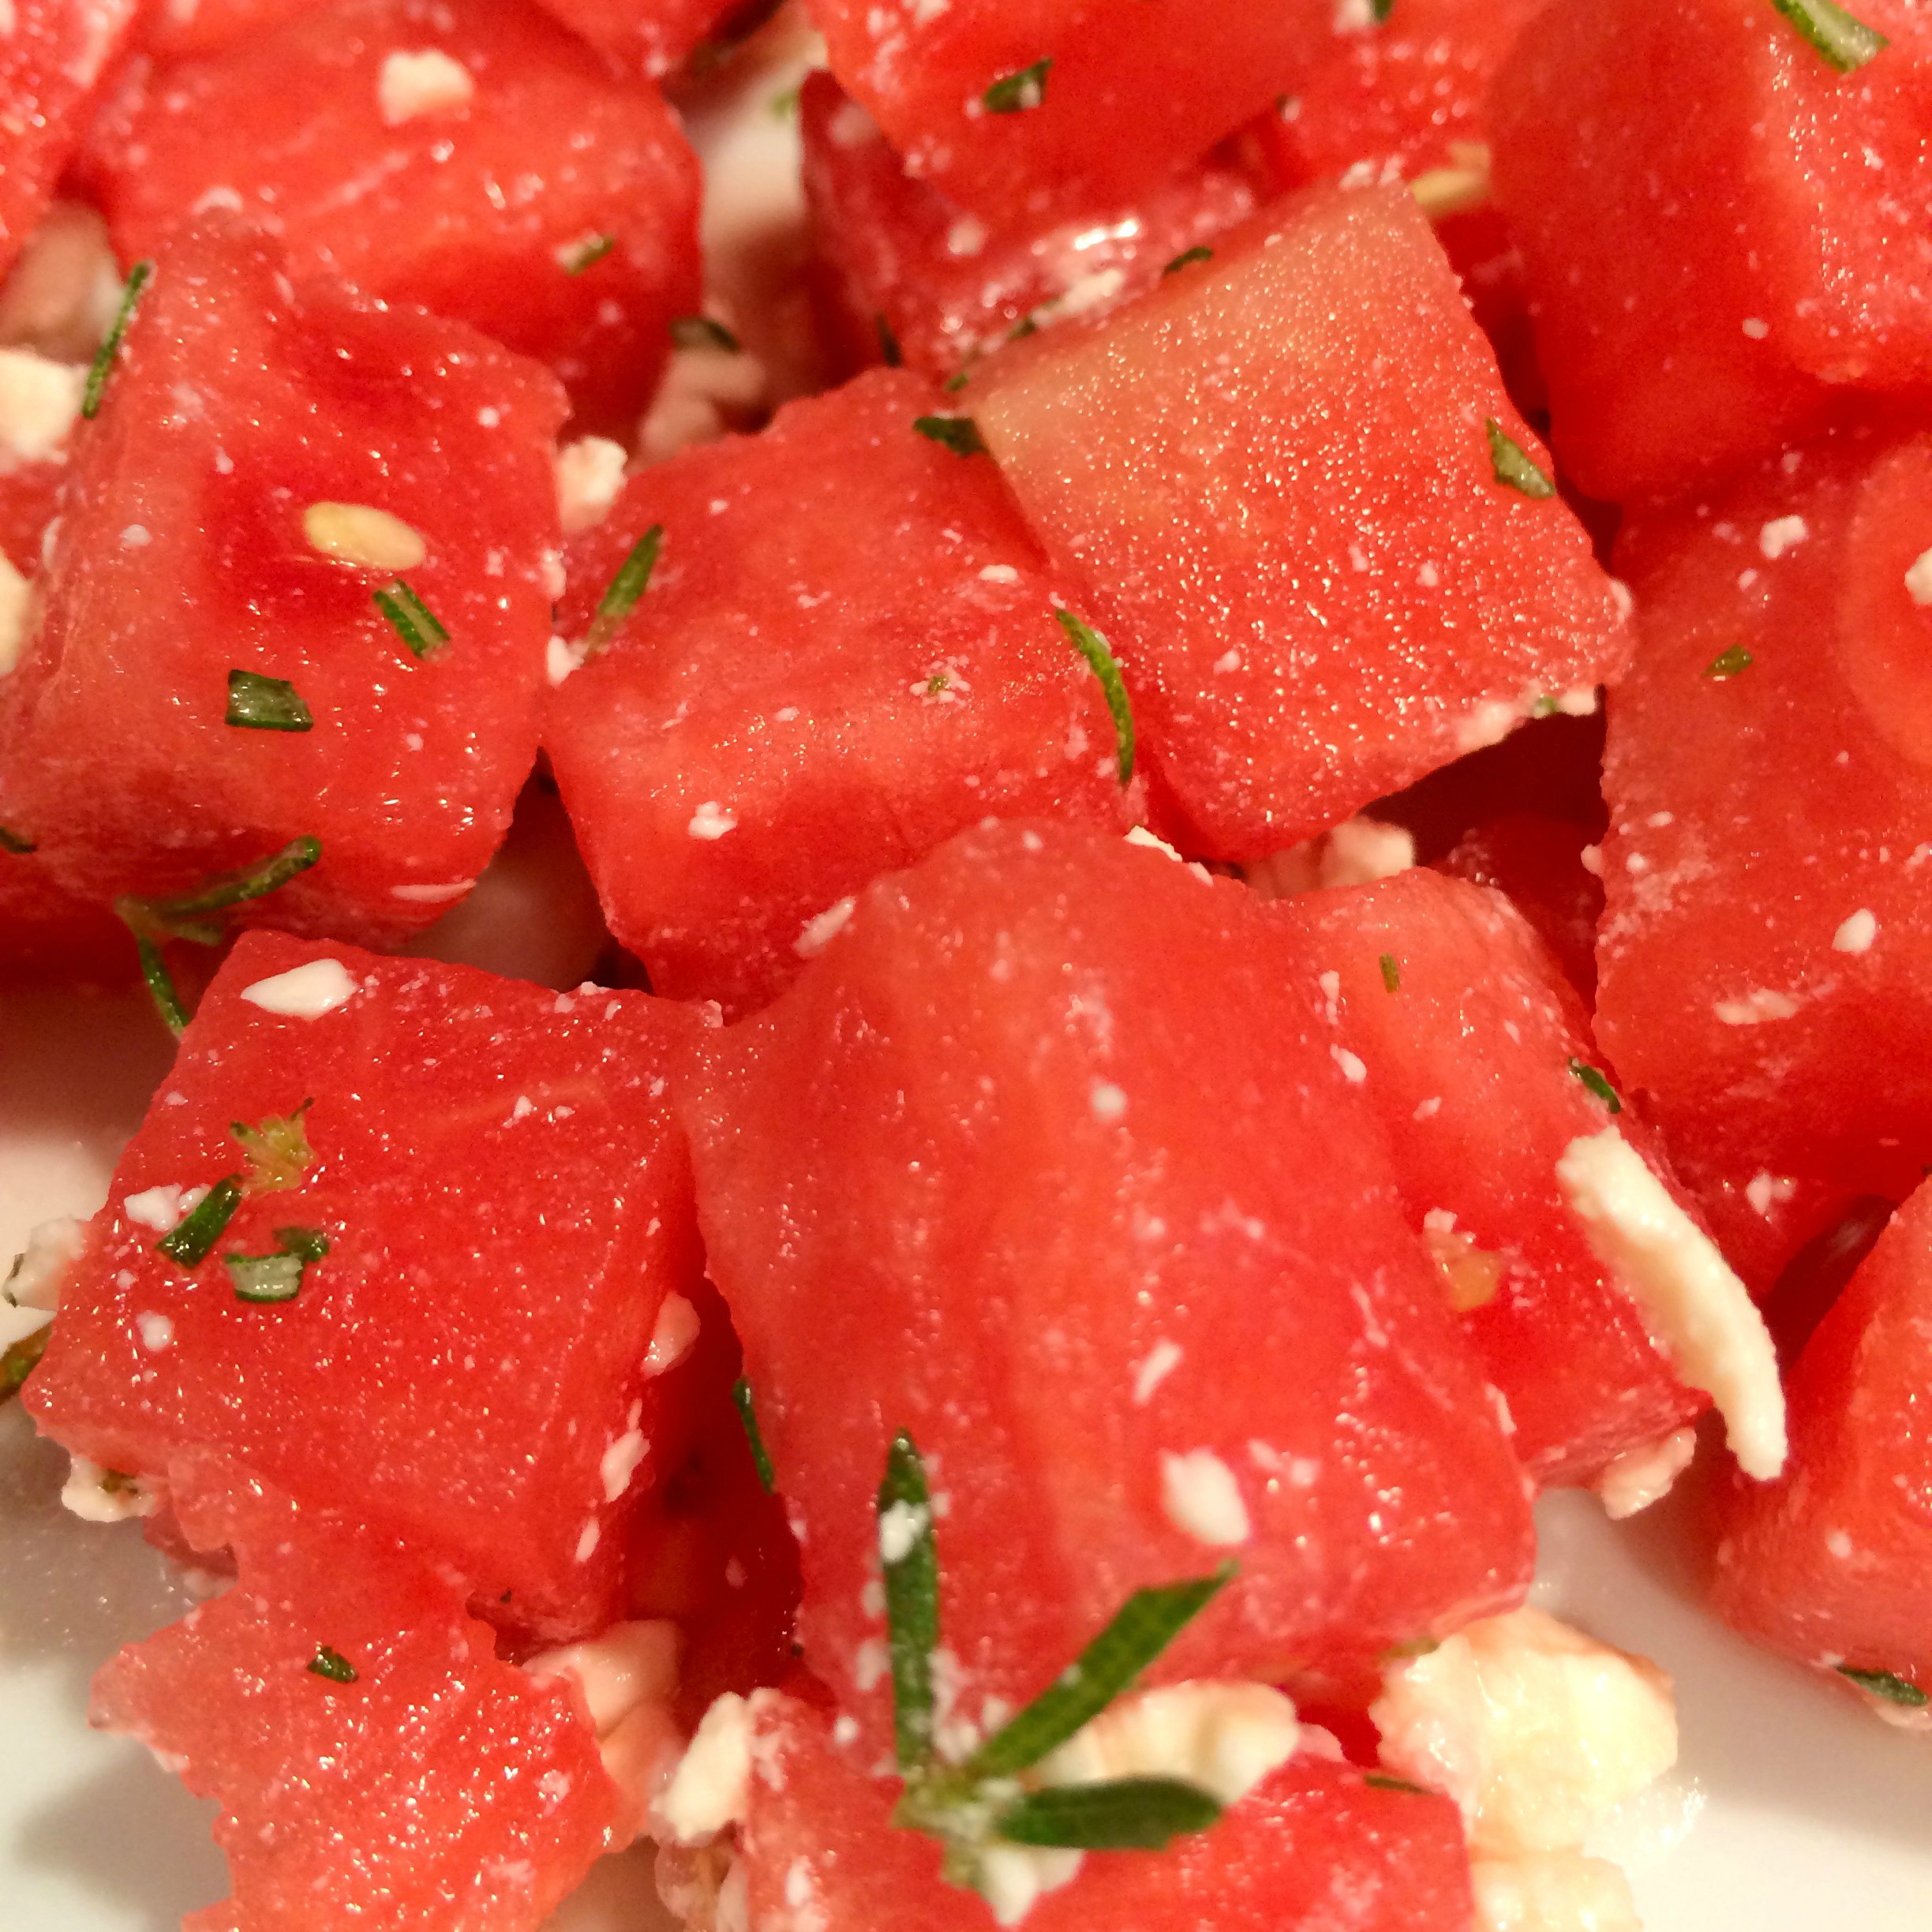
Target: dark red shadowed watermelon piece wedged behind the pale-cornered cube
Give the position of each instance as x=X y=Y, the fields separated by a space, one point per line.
x=909 y=270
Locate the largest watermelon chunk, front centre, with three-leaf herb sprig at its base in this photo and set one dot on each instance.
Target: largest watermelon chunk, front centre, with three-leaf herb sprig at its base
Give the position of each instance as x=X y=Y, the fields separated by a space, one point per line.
x=971 y=1179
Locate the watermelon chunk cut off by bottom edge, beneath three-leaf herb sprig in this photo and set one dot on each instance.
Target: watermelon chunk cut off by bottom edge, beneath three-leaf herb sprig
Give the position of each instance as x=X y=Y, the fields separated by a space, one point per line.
x=1311 y=1850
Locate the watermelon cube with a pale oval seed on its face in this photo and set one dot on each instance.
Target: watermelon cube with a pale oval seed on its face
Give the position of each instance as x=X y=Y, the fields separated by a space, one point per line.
x=186 y=555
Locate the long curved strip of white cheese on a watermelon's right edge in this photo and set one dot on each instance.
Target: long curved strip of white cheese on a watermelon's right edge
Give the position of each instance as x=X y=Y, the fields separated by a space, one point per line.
x=1688 y=1293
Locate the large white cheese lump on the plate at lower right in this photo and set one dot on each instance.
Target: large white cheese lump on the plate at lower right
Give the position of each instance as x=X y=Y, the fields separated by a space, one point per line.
x=1533 y=1728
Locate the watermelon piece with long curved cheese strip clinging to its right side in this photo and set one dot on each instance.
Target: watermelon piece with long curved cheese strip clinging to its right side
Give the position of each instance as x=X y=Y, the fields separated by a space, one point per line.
x=1467 y=1044
